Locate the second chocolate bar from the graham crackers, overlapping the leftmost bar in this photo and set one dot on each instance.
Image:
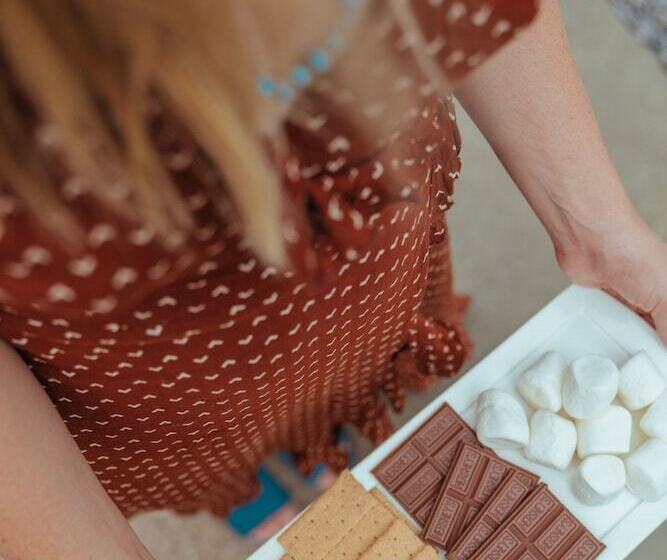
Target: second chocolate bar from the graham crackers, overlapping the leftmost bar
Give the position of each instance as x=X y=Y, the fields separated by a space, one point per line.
x=474 y=476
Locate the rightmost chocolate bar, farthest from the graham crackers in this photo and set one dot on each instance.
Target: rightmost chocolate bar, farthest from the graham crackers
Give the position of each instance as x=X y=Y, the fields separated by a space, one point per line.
x=541 y=528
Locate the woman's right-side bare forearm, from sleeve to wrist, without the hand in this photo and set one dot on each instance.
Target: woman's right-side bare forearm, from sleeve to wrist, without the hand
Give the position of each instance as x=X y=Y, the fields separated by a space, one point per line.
x=529 y=103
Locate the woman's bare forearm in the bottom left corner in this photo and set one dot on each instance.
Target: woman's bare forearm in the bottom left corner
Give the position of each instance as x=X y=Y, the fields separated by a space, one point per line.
x=51 y=504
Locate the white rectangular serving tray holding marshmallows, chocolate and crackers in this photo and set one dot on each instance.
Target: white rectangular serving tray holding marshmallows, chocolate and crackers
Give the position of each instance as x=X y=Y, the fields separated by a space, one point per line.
x=579 y=321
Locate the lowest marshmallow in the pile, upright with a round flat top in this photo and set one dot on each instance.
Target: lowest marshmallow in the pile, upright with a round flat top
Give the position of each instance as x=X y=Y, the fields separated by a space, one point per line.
x=599 y=479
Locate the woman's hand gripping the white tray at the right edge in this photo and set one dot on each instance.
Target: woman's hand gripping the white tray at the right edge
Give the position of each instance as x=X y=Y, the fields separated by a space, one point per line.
x=629 y=264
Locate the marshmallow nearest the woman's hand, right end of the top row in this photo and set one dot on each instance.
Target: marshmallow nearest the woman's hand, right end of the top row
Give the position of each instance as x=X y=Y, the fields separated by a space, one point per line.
x=640 y=382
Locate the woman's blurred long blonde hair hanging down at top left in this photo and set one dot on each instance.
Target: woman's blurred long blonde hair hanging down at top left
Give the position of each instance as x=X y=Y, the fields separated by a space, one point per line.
x=90 y=67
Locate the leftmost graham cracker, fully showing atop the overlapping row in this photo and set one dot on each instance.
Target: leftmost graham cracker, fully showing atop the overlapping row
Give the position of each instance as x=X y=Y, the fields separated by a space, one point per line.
x=320 y=528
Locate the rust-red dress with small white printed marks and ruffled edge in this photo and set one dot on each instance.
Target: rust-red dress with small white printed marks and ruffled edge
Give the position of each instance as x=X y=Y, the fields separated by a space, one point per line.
x=177 y=370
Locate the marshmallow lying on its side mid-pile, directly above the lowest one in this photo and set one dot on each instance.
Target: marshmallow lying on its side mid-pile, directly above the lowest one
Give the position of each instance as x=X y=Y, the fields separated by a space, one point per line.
x=610 y=433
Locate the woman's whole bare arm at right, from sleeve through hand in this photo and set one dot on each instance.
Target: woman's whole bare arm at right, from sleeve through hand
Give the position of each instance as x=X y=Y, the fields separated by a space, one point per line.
x=529 y=103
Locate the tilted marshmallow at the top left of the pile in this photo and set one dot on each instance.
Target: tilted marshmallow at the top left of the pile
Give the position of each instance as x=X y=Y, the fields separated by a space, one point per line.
x=542 y=383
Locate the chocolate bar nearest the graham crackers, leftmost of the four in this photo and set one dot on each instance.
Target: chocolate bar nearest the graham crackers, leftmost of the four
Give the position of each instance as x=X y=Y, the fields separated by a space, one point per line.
x=414 y=472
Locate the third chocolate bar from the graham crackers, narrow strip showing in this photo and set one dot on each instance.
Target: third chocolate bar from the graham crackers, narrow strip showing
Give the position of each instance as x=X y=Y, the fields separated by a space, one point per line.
x=511 y=492
